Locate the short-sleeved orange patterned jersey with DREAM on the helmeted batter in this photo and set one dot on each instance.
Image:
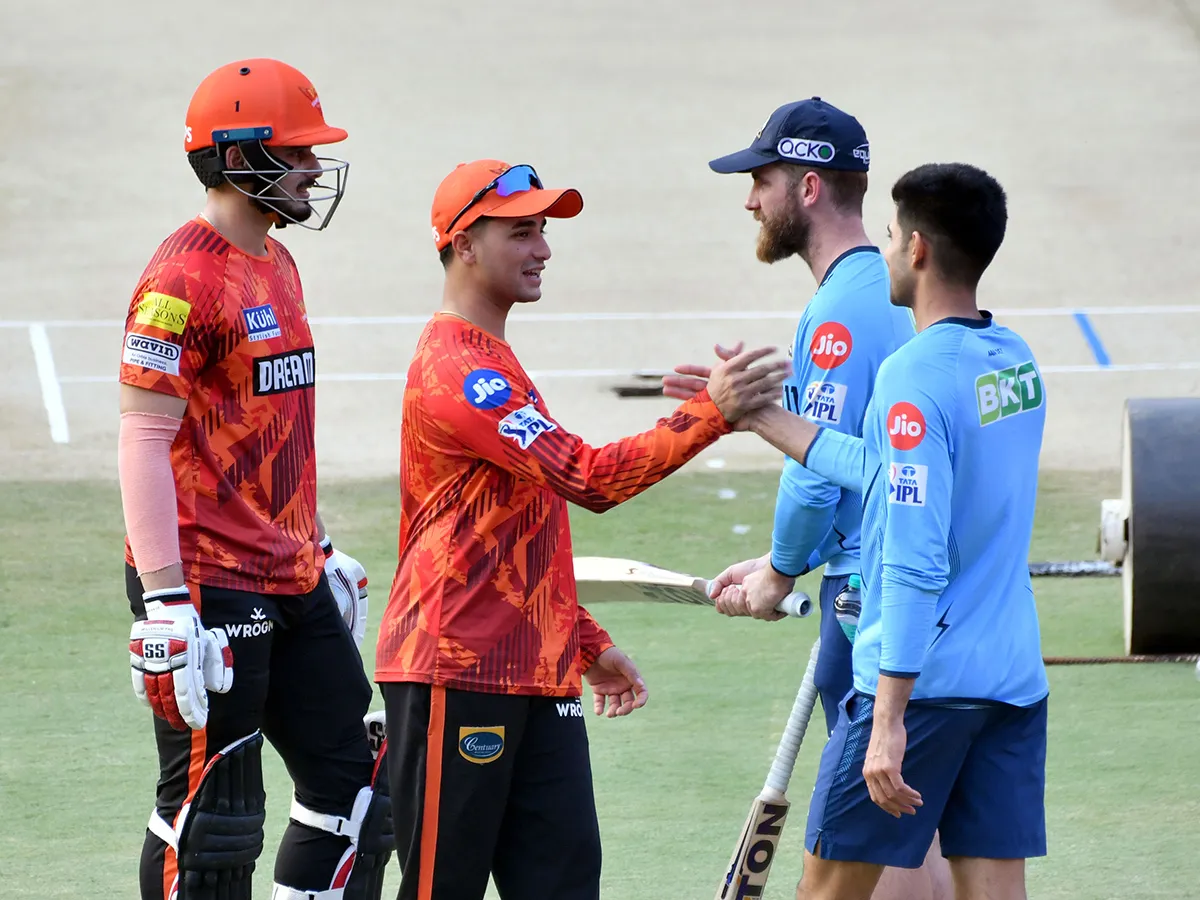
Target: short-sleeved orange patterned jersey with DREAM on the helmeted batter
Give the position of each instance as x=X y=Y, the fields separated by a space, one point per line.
x=230 y=333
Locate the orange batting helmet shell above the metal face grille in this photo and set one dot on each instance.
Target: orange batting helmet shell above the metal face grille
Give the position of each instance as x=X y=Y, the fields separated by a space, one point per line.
x=262 y=99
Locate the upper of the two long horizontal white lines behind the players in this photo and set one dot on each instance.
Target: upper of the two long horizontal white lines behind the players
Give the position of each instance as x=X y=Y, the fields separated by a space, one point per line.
x=694 y=316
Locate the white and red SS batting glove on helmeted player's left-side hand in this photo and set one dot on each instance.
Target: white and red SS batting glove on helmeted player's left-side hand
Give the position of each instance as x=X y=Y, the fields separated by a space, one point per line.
x=175 y=661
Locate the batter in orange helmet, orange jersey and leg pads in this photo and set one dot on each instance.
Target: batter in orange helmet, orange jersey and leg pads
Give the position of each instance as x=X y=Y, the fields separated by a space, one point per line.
x=247 y=621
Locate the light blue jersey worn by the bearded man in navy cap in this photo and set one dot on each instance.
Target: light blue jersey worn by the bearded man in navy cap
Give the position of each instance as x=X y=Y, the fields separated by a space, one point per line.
x=847 y=332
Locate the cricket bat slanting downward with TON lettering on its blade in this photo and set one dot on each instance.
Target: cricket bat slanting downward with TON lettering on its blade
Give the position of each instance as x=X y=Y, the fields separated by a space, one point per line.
x=755 y=850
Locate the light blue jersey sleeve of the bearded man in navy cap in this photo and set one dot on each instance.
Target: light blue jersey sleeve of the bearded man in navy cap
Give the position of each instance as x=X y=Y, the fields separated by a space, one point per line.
x=830 y=386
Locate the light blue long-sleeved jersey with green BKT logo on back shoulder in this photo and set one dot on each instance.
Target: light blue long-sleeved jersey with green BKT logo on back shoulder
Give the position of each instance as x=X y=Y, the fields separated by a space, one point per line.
x=949 y=465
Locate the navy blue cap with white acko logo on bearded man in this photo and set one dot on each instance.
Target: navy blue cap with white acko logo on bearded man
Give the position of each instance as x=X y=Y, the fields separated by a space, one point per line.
x=808 y=133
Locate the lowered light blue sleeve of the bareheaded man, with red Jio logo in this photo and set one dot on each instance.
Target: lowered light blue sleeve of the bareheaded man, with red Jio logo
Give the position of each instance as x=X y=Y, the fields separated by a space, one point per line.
x=916 y=560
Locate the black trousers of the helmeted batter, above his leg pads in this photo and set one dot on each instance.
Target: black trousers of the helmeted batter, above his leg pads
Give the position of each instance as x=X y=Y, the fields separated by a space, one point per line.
x=298 y=676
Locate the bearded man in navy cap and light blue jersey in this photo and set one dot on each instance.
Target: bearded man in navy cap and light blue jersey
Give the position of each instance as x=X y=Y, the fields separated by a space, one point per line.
x=809 y=166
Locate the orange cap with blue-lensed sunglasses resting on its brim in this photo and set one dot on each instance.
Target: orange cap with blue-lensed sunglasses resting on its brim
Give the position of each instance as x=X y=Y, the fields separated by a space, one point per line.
x=490 y=188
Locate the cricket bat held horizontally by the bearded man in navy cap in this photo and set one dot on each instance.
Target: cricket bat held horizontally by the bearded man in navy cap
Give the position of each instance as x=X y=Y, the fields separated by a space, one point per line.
x=607 y=579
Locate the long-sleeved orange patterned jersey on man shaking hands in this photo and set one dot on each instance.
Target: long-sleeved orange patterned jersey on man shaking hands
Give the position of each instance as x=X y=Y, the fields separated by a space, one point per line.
x=484 y=597
